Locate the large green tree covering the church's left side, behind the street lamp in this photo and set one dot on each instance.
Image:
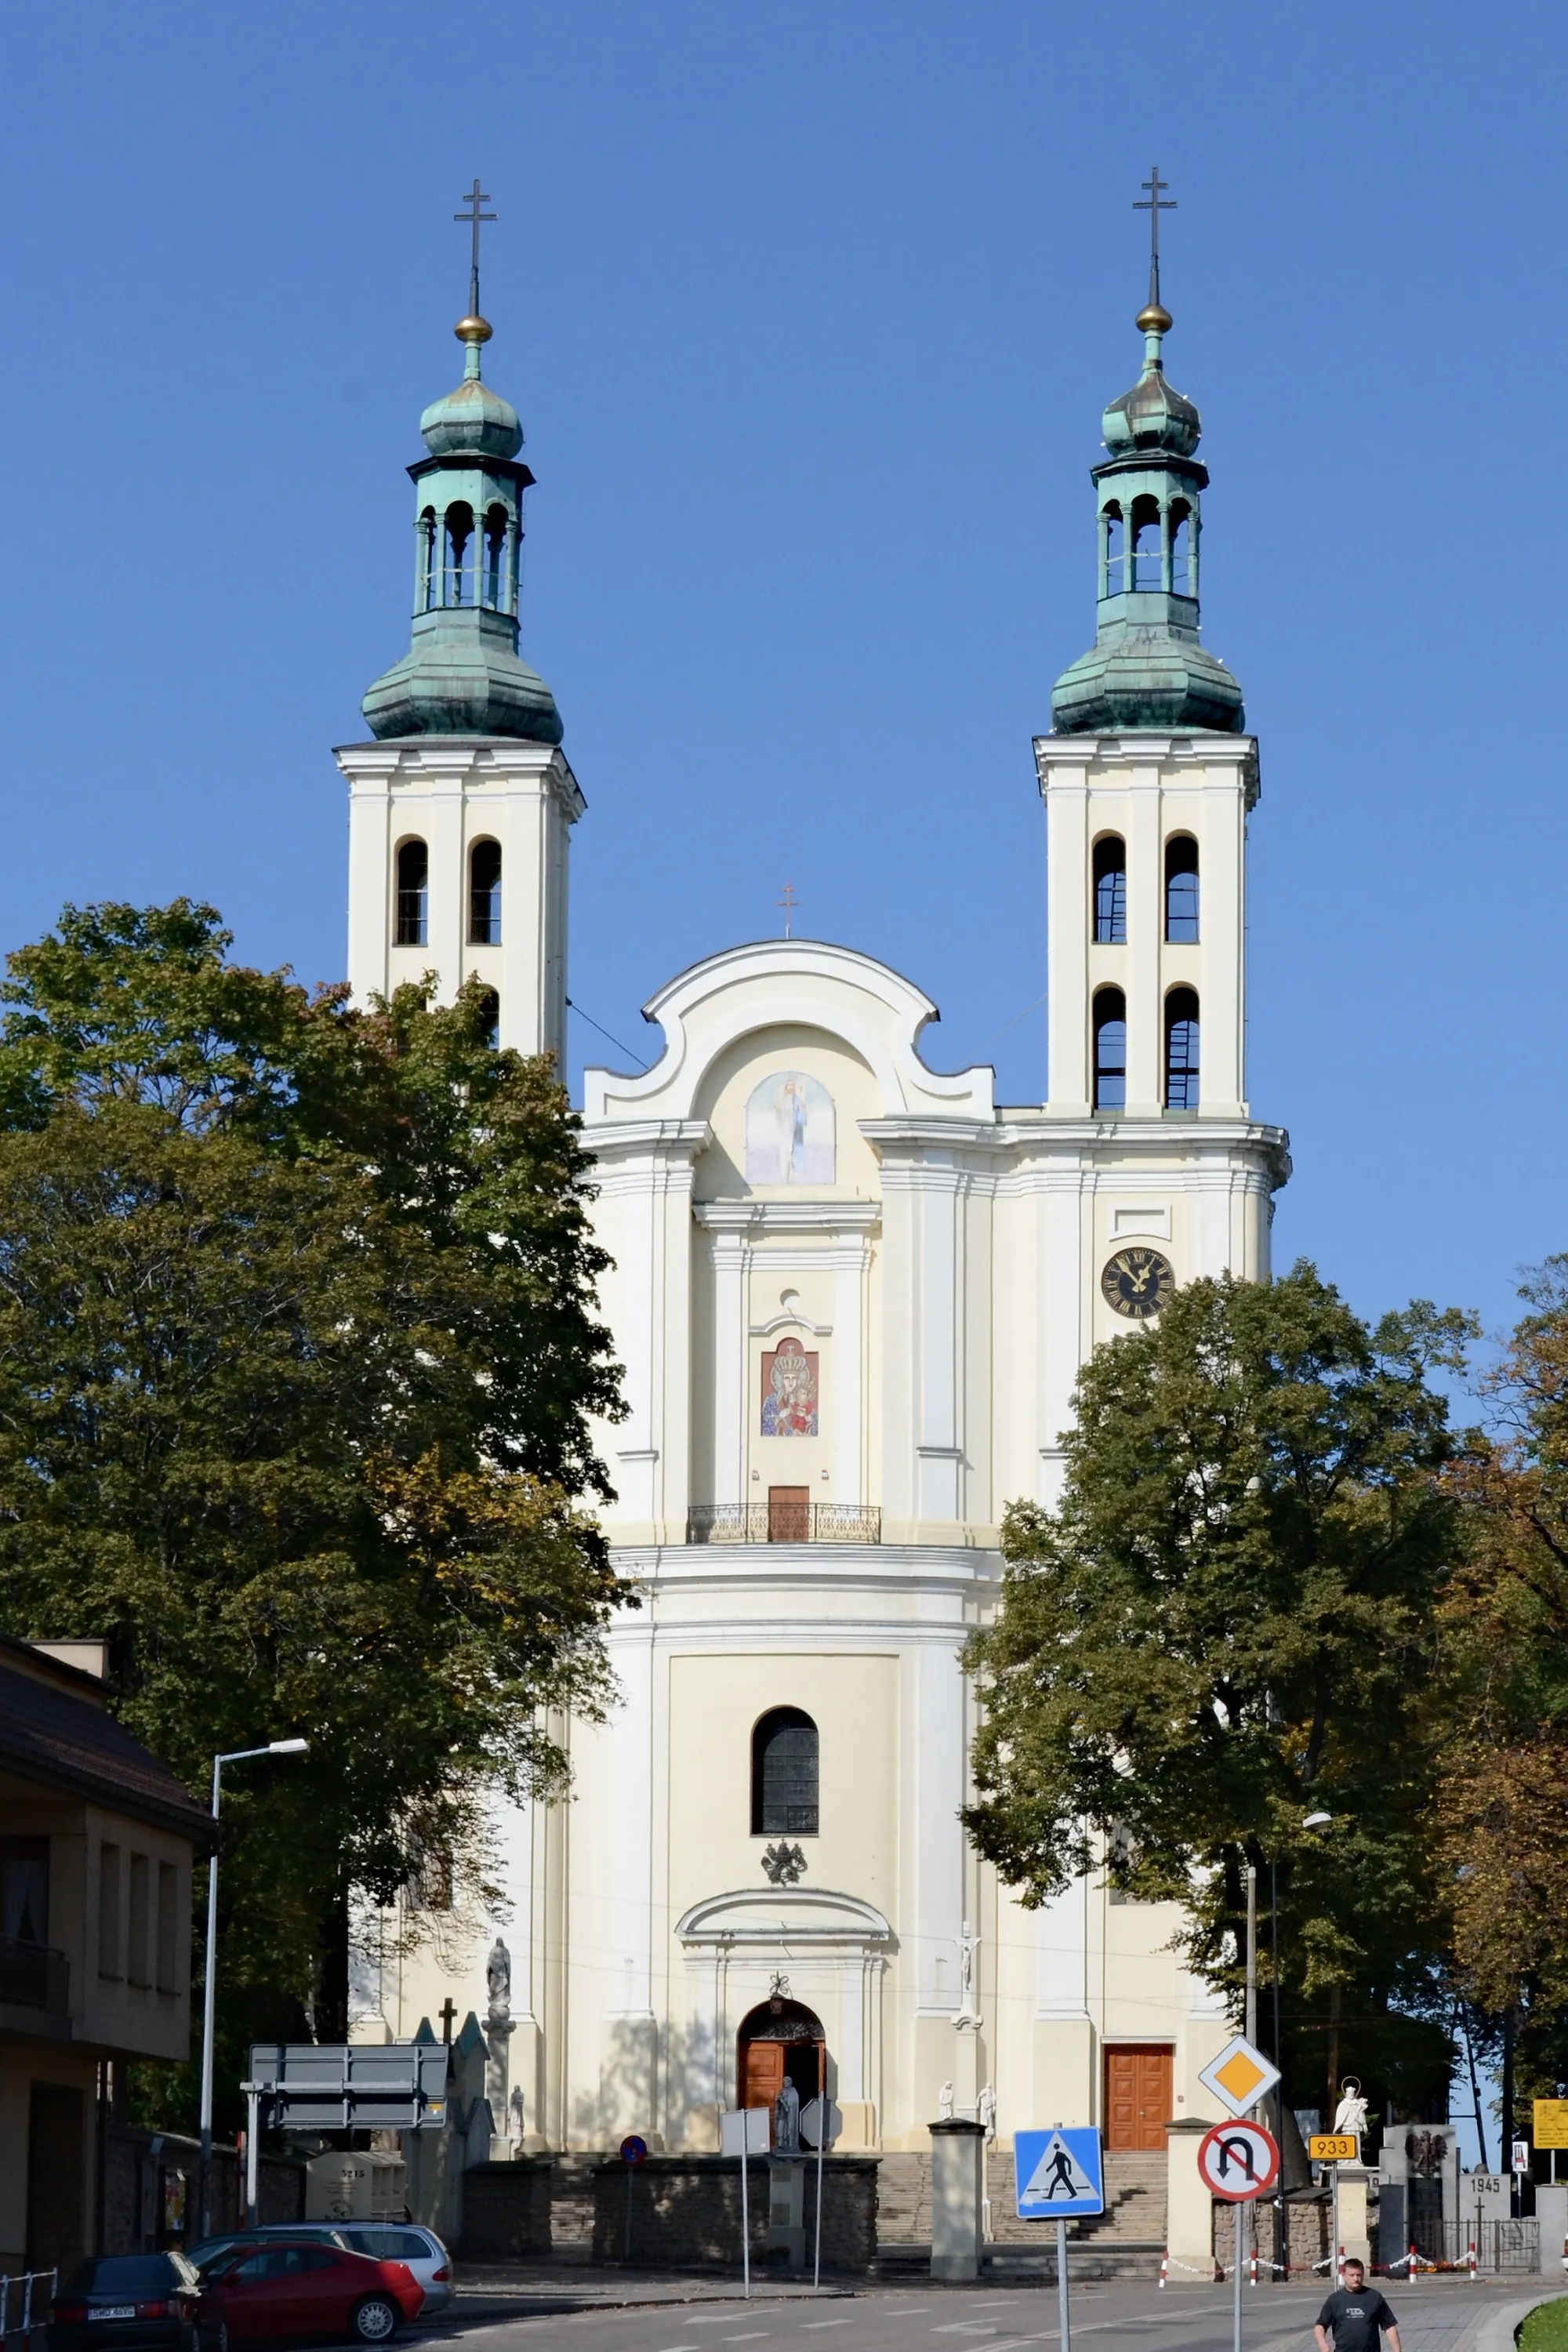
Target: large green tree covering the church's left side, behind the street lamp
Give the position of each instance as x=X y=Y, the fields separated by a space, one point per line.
x=297 y=1370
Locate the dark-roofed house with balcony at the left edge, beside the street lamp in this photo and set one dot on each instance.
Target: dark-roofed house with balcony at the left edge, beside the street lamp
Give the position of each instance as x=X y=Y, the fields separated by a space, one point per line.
x=98 y=1843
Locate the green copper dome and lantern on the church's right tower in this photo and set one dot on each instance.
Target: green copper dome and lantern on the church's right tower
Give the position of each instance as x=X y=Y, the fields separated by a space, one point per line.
x=1148 y=667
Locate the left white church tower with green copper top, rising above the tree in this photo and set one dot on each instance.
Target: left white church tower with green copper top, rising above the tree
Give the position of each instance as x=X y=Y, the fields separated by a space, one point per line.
x=462 y=808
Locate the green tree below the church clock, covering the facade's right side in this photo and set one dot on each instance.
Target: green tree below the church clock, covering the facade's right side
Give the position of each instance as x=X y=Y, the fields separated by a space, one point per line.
x=1228 y=1626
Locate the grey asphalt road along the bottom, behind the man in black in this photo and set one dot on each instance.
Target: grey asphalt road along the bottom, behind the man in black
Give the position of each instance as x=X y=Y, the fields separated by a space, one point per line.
x=1113 y=2318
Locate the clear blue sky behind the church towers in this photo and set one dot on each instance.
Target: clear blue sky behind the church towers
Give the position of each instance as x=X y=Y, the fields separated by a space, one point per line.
x=810 y=314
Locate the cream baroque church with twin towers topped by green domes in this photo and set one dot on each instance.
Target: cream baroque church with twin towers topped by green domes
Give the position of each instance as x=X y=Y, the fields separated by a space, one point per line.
x=852 y=1297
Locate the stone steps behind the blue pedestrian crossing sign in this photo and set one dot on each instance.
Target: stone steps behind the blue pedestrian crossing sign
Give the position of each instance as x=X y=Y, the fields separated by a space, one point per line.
x=1125 y=2243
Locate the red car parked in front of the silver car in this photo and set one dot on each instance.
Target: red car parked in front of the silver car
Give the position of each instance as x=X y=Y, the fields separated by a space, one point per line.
x=302 y=2287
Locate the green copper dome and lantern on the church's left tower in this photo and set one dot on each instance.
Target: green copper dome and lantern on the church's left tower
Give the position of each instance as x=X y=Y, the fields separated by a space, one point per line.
x=464 y=674
